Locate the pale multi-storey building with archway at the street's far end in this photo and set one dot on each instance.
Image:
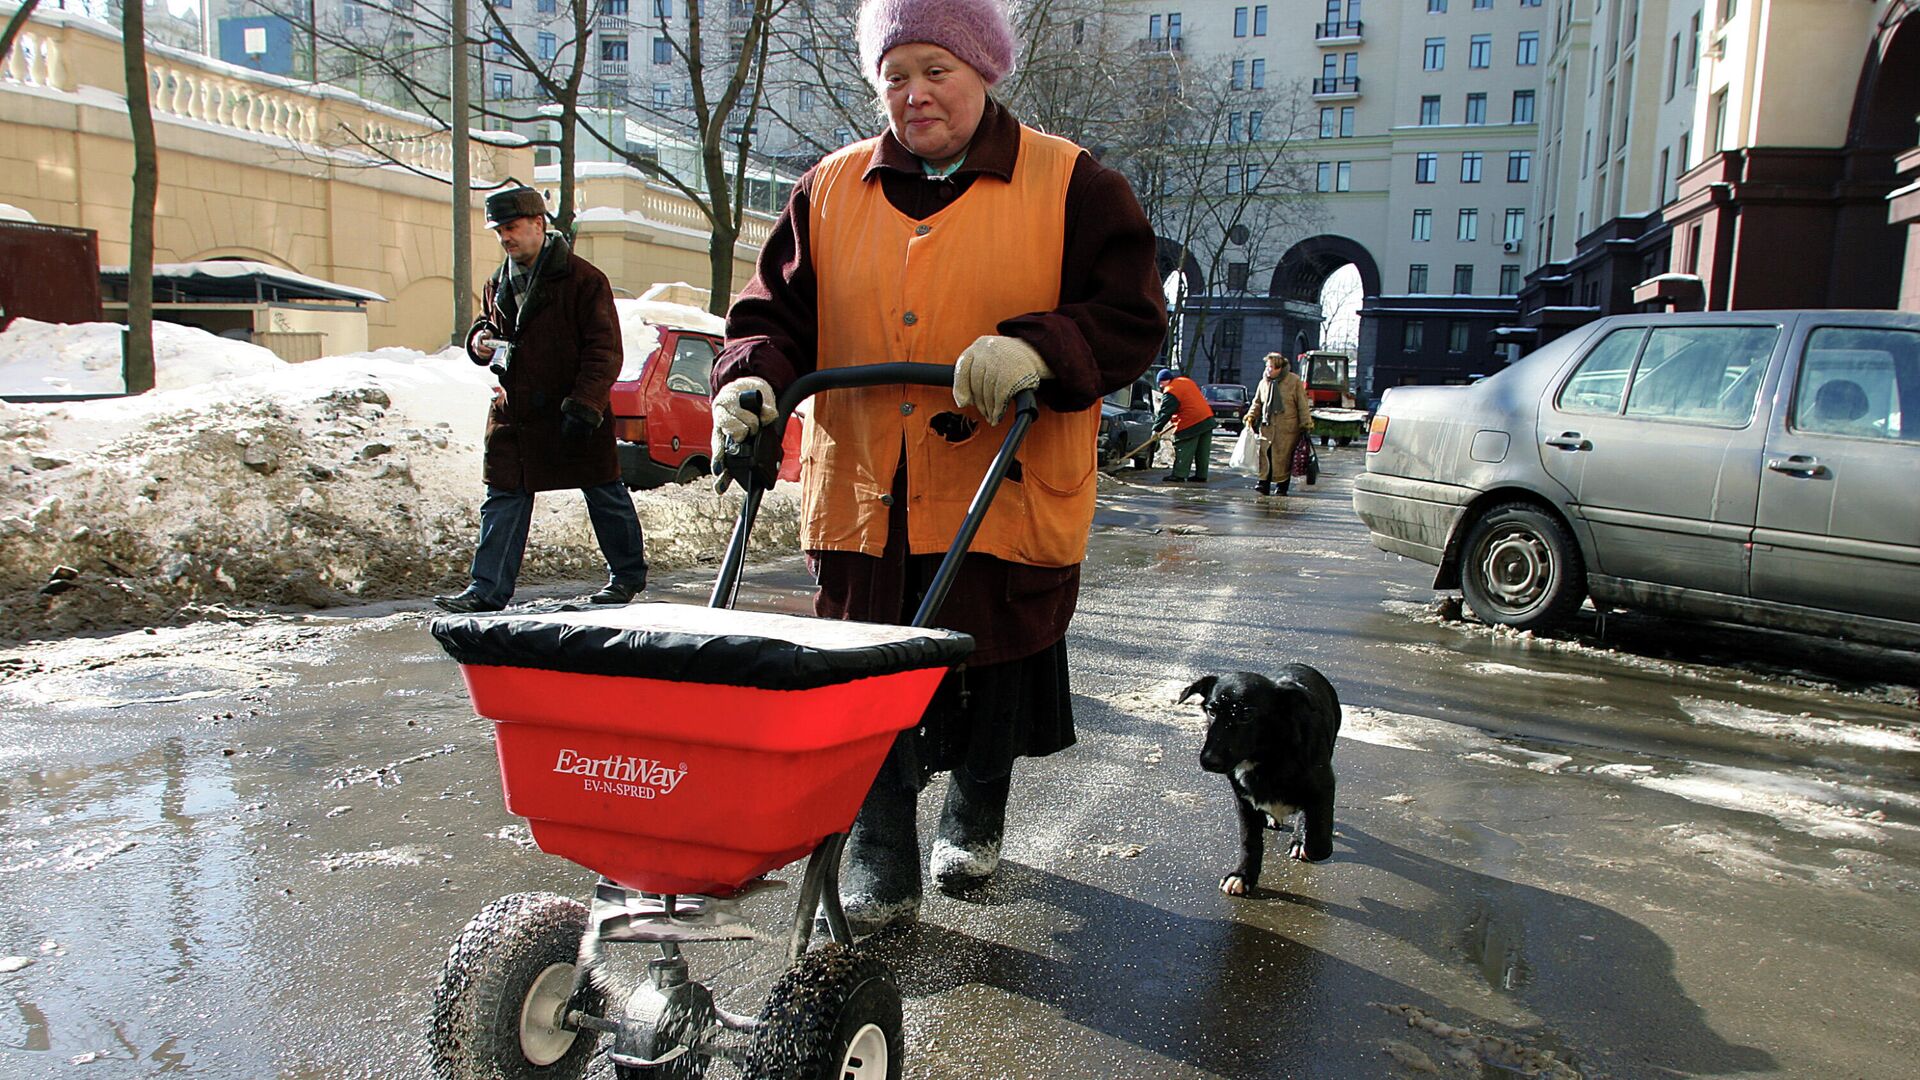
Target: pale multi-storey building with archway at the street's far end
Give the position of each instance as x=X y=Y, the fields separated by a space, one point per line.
x=1422 y=143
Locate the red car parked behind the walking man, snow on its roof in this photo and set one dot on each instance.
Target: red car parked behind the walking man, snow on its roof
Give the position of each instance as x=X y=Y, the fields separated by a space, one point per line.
x=661 y=403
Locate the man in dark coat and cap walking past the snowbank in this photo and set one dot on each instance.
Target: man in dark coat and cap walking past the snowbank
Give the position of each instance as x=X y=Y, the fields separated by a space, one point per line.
x=552 y=337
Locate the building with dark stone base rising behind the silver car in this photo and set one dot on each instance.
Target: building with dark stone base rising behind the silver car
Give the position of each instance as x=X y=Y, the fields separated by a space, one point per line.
x=1725 y=155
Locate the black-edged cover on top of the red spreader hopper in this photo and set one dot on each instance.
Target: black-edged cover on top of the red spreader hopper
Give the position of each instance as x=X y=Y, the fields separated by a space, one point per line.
x=681 y=643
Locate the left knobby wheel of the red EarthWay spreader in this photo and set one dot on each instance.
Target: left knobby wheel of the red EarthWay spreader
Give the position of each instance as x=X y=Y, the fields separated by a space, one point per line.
x=504 y=991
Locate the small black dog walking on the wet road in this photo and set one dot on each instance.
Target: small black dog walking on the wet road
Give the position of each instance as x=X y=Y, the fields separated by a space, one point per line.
x=1274 y=741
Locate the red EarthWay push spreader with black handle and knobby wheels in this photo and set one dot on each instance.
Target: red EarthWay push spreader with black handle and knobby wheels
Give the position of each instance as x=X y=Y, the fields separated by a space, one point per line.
x=684 y=754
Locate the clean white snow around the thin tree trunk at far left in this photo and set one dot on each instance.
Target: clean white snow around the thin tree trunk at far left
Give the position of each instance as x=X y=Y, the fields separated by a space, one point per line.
x=85 y=358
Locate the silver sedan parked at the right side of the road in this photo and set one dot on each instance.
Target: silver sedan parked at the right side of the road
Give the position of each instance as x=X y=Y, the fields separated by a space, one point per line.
x=1742 y=466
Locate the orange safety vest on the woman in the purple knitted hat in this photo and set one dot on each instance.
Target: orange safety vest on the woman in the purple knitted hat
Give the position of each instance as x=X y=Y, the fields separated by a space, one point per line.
x=894 y=289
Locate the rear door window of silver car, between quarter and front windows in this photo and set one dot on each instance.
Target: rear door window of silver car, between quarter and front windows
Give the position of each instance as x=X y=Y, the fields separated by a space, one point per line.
x=1708 y=376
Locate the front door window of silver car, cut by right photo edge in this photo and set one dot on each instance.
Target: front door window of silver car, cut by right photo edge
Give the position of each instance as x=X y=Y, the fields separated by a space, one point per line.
x=1860 y=383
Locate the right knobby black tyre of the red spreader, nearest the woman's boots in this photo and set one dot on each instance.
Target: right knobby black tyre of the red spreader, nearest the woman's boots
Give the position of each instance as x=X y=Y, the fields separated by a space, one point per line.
x=836 y=1016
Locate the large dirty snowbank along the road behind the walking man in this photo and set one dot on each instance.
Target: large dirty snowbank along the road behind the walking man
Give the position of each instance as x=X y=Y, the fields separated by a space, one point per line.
x=350 y=478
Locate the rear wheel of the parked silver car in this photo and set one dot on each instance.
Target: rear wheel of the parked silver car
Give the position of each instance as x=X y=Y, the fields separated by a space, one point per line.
x=1522 y=570
